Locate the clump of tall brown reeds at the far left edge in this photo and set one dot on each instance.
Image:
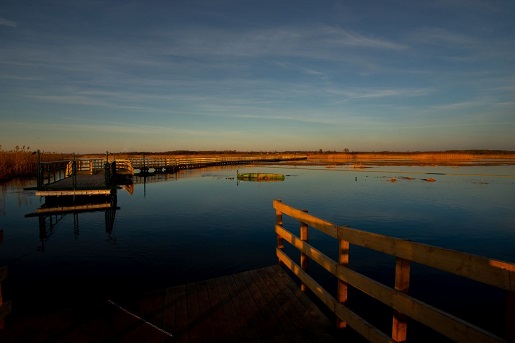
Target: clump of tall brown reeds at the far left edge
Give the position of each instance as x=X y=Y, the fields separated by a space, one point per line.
x=22 y=162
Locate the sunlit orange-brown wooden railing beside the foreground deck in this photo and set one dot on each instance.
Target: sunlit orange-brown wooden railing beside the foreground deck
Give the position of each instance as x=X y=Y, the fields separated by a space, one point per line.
x=492 y=272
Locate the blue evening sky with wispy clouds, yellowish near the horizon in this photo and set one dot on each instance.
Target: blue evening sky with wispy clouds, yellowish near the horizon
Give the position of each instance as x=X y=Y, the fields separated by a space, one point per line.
x=90 y=76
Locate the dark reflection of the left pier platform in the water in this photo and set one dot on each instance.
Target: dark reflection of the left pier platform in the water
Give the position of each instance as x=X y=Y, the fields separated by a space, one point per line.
x=55 y=209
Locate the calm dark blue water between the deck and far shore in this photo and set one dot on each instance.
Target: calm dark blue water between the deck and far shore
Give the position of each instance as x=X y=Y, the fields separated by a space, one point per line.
x=203 y=223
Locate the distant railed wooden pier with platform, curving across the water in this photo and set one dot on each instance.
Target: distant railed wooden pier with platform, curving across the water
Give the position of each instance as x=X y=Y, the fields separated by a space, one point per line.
x=97 y=176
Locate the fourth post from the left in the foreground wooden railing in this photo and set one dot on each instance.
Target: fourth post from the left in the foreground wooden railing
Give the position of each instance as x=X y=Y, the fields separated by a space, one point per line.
x=402 y=276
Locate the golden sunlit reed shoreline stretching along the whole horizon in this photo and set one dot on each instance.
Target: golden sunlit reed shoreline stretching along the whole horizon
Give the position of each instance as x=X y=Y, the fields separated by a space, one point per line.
x=22 y=162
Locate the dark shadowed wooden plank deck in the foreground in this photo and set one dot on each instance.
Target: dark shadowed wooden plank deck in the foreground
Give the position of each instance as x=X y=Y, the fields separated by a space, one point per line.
x=263 y=305
